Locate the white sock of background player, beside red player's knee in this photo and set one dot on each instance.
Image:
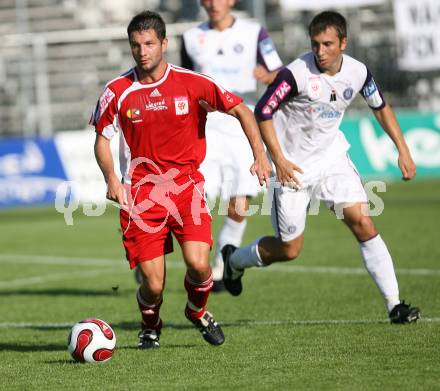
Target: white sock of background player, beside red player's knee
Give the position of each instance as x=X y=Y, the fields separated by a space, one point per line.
x=231 y=232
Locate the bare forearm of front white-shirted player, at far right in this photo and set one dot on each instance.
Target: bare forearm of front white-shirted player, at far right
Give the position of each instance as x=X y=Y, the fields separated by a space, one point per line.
x=388 y=121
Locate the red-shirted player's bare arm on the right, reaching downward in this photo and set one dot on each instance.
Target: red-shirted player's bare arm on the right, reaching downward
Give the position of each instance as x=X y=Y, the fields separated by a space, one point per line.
x=261 y=166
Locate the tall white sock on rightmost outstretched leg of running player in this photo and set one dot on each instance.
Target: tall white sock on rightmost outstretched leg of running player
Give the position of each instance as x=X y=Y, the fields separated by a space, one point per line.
x=379 y=264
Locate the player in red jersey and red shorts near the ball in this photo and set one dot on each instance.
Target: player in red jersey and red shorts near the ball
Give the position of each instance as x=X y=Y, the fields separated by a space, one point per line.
x=159 y=111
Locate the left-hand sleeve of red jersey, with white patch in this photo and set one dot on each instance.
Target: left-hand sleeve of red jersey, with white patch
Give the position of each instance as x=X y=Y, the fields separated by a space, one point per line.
x=104 y=117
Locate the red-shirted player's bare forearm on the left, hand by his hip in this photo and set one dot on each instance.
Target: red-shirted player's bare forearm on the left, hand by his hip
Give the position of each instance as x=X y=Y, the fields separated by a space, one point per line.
x=115 y=189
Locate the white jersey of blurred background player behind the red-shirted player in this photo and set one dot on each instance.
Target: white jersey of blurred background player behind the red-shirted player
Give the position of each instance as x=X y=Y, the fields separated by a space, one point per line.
x=230 y=56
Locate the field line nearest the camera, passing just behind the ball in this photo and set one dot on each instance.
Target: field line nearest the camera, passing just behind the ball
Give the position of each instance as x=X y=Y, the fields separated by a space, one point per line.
x=287 y=322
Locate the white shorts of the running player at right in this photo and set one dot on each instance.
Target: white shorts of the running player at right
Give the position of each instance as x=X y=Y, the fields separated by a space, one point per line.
x=337 y=185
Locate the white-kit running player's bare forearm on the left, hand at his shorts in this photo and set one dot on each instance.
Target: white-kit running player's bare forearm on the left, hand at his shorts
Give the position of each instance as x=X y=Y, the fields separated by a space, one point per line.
x=285 y=169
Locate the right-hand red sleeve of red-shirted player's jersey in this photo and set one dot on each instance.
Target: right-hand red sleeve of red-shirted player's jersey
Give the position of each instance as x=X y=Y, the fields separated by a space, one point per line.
x=216 y=96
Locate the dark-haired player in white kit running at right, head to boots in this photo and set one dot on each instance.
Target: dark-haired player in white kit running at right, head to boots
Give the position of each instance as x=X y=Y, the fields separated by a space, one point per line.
x=299 y=118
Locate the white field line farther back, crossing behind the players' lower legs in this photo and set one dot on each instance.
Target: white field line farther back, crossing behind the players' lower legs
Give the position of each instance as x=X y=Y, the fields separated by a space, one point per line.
x=279 y=267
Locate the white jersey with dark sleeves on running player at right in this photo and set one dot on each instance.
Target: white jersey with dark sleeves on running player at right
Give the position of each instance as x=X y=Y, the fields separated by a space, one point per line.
x=307 y=107
